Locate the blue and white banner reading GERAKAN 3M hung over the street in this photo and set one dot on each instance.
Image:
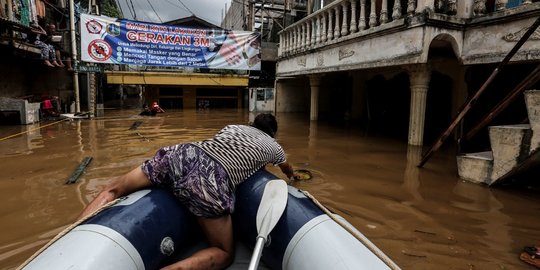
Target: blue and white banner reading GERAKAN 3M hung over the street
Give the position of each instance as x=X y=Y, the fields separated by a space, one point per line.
x=118 y=41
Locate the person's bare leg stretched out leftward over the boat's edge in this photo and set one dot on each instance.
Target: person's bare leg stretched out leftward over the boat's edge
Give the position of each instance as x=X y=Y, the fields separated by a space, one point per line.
x=123 y=185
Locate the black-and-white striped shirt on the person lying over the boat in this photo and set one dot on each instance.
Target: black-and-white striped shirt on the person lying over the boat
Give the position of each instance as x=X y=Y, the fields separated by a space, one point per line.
x=242 y=150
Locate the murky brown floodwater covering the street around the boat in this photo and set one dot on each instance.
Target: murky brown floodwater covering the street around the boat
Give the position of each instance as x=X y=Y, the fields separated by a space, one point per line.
x=421 y=218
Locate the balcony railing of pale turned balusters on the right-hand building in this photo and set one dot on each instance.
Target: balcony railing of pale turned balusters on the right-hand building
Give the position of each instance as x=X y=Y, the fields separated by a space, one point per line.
x=345 y=19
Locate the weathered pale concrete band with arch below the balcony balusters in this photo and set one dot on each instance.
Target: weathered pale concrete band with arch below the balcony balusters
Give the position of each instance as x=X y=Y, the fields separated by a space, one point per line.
x=479 y=40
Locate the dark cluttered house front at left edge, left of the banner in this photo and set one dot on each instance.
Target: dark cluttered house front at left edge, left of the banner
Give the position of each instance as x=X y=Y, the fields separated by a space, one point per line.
x=23 y=75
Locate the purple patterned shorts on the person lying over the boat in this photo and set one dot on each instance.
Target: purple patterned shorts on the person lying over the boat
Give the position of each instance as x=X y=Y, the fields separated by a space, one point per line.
x=196 y=179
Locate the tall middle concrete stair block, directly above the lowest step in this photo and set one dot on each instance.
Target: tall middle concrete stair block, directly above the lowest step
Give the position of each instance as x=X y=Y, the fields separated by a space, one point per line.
x=510 y=145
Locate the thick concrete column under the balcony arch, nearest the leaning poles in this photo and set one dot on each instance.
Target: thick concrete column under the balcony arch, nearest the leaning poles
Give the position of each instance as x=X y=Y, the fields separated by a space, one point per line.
x=419 y=76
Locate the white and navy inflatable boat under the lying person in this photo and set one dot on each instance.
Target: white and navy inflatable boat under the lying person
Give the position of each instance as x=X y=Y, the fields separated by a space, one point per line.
x=150 y=229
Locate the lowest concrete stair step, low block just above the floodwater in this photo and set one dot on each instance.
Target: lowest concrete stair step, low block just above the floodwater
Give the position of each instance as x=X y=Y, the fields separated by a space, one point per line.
x=476 y=167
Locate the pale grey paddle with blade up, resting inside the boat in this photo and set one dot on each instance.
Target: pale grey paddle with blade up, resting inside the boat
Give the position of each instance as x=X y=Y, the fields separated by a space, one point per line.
x=273 y=203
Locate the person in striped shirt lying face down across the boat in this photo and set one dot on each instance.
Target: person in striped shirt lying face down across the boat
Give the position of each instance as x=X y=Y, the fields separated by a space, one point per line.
x=204 y=176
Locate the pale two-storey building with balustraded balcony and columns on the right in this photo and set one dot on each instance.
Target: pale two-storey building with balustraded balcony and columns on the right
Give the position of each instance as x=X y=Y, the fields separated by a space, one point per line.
x=405 y=67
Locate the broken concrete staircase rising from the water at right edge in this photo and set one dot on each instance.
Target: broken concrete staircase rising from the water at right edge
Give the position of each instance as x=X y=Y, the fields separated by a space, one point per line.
x=512 y=147
